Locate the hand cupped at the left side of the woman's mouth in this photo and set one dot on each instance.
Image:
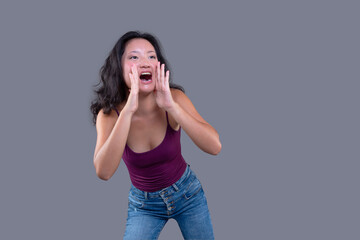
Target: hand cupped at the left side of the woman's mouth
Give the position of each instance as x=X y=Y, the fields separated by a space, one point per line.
x=133 y=98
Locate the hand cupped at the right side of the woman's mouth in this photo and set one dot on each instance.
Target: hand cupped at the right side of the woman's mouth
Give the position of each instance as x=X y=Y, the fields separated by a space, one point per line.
x=162 y=88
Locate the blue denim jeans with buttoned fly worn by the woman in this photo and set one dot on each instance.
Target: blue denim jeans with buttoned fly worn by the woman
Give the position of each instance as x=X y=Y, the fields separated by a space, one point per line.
x=183 y=201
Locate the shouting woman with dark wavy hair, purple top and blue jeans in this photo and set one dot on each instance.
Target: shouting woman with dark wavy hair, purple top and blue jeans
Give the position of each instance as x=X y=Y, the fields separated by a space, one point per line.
x=138 y=114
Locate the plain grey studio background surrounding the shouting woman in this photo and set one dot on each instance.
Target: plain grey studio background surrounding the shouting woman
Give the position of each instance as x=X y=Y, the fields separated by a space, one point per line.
x=279 y=80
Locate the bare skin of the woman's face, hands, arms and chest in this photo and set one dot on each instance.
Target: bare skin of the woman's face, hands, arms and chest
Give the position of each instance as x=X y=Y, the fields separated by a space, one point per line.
x=142 y=121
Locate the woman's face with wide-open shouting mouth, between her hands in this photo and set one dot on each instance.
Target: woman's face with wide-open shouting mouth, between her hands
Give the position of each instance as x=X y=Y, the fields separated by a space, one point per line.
x=141 y=53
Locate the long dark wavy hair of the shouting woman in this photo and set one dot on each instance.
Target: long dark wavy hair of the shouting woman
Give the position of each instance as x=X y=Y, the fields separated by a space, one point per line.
x=111 y=89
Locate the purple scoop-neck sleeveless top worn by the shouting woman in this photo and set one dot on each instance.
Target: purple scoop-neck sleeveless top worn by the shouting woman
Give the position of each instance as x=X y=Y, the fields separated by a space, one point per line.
x=158 y=168
